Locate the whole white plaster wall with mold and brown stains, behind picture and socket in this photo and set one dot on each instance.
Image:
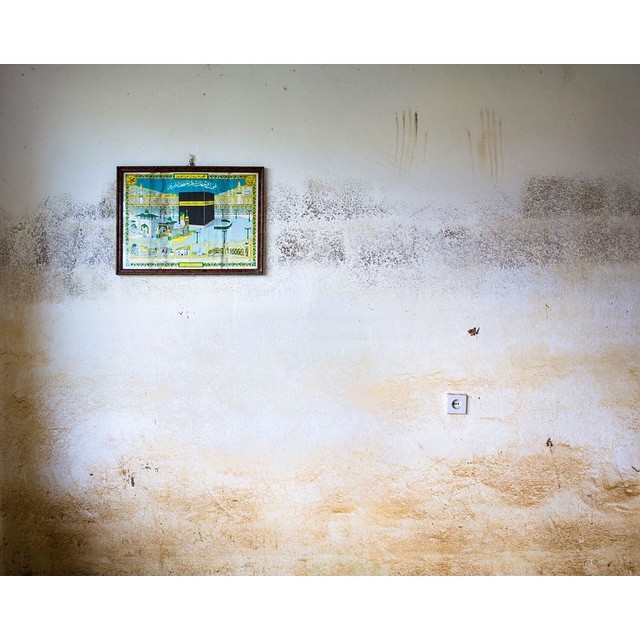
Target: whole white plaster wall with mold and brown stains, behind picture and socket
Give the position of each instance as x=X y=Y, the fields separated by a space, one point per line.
x=294 y=423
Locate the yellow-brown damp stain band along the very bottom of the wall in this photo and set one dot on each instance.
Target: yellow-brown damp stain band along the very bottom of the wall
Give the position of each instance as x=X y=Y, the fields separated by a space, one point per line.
x=492 y=514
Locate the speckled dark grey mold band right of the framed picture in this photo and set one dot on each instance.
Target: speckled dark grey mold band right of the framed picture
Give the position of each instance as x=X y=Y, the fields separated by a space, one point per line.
x=559 y=221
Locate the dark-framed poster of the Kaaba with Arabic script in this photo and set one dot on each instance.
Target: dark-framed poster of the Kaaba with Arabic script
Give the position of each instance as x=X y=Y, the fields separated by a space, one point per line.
x=190 y=220
